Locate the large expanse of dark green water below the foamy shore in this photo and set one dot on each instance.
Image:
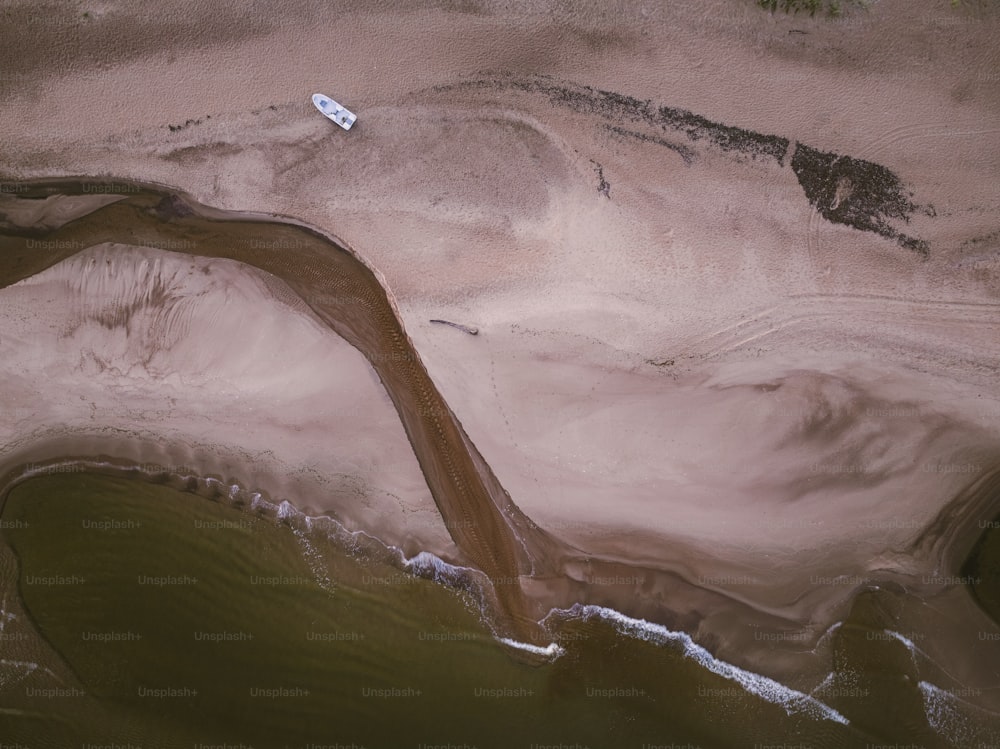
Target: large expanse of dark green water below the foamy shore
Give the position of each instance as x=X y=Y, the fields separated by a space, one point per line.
x=169 y=613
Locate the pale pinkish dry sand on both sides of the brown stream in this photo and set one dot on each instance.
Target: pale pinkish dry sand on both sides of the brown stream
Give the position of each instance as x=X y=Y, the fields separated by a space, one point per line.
x=681 y=365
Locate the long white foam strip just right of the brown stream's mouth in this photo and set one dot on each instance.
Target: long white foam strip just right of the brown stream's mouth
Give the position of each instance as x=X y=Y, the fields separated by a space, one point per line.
x=791 y=700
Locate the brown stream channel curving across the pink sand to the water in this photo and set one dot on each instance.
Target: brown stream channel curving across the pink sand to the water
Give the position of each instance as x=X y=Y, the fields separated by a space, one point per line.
x=460 y=482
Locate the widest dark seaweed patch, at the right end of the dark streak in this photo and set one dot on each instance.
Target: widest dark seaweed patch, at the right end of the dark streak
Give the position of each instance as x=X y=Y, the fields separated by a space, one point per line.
x=856 y=193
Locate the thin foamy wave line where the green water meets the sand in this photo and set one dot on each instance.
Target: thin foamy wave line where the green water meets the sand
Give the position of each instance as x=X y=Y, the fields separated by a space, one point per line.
x=794 y=698
